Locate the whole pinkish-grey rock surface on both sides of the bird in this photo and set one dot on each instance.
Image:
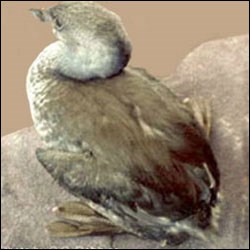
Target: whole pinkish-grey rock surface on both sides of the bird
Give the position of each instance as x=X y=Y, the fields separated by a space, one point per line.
x=217 y=70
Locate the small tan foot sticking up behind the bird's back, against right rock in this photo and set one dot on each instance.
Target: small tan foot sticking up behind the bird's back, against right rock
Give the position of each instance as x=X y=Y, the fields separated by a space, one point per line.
x=201 y=108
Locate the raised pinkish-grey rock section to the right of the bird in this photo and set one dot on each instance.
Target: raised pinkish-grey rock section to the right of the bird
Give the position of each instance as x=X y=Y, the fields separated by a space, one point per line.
x=219 y=71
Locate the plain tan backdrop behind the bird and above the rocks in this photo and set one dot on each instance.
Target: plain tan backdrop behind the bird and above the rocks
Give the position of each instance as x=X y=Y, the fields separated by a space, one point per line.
x=162 y=33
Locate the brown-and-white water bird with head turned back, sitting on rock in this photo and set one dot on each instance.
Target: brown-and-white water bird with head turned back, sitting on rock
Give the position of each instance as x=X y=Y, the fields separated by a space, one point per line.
x=136 y=156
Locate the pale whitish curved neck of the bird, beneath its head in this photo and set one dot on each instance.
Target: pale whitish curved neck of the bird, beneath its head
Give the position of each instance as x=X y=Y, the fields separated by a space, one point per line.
x=79 y=63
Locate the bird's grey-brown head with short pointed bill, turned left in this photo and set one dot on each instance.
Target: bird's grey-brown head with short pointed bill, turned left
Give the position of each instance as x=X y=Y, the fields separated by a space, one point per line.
x=86 y=27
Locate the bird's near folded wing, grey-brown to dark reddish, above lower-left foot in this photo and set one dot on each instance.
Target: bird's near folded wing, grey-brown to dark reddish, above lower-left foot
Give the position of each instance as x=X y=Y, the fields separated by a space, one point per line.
x=172 y=191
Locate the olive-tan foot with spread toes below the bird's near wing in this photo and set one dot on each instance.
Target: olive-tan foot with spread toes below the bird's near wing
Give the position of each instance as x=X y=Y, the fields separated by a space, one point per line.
x=75 y=219
